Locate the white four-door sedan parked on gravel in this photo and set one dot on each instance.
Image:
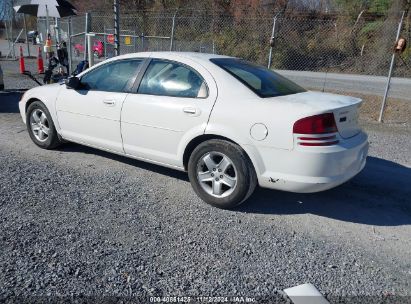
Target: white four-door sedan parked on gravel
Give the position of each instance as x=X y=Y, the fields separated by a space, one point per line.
x=229 y=123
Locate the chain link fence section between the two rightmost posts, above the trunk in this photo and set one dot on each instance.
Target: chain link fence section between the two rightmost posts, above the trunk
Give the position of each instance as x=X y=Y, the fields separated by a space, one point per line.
x=332 y=46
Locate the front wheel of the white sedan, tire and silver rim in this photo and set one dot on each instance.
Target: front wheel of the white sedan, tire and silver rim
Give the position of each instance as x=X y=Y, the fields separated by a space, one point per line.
x=41 y=127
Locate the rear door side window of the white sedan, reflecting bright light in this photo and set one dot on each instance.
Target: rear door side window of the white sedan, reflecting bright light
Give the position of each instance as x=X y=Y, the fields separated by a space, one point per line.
x=169 y=78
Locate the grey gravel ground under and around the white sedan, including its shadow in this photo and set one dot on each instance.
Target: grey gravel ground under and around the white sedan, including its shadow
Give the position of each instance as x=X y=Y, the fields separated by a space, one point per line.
x=81 y=225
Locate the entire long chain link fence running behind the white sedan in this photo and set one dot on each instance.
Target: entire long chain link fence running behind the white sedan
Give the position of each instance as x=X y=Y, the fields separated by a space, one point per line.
x=300 y=43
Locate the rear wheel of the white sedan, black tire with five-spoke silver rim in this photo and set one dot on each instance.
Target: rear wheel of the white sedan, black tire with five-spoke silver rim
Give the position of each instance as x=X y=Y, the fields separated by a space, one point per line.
x=221 y=173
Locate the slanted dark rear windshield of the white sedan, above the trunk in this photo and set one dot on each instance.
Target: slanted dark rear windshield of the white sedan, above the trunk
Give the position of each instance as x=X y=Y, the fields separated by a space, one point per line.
x=264 y=82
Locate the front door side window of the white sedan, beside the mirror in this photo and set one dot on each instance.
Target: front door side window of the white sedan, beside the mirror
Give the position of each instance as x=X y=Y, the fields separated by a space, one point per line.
x=112 y=77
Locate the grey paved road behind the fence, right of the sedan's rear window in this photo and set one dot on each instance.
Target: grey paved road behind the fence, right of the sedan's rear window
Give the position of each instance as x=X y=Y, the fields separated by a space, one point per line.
x=372 y=85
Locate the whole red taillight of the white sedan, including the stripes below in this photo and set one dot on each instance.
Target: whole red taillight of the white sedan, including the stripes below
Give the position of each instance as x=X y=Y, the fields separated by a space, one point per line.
x=315 y=126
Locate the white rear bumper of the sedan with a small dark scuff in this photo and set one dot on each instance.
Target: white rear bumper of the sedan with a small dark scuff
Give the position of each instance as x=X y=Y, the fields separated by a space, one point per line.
x=309 y=169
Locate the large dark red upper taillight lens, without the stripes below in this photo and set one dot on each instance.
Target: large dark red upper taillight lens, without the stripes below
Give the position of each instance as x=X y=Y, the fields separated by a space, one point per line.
x=317 y=124
